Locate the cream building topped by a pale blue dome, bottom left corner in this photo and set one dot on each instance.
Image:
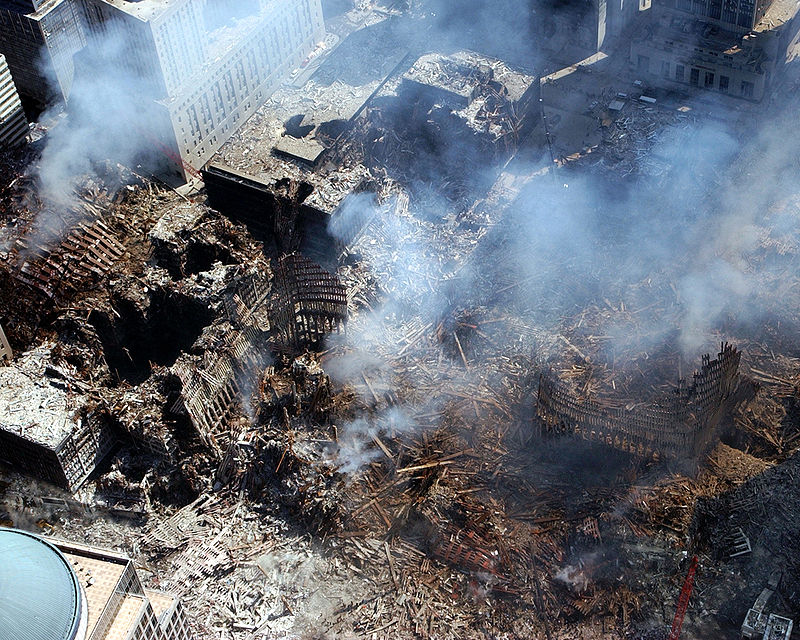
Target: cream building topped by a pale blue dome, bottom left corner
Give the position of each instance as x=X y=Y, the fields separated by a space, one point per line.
x=65 y=591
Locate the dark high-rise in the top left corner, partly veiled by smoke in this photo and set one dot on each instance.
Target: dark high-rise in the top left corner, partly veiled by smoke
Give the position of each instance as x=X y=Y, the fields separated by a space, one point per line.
x=39 y=39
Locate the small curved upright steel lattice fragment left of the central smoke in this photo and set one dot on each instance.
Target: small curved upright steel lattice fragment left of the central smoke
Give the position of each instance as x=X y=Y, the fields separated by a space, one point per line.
x=311 y=303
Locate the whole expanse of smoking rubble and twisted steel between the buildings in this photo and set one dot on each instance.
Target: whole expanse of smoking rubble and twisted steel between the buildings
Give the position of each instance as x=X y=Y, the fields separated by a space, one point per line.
x=393 y=480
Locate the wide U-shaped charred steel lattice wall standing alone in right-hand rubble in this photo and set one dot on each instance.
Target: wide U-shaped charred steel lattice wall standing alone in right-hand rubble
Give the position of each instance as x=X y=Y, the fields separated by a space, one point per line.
x=679 y=425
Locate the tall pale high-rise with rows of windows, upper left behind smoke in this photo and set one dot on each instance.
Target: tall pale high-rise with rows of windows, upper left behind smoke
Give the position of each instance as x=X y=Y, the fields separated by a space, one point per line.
x=200 y=68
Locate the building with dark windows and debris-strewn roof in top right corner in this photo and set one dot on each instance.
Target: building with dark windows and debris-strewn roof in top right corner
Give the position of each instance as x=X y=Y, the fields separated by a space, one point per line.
x=732 y=48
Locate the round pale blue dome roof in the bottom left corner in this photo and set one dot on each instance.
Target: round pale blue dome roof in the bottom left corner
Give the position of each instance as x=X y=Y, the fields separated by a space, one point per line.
x=40 y=597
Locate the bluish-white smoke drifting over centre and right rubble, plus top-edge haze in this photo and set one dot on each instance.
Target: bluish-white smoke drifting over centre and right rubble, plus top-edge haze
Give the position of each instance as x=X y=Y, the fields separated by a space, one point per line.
x=680 y=257
